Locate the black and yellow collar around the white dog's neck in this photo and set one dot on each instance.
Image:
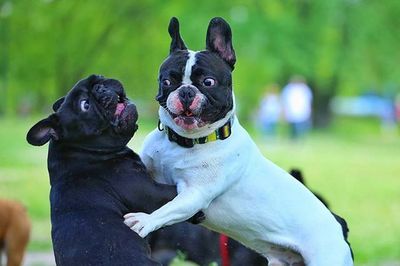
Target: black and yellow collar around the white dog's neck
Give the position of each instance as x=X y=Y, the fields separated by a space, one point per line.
x=221 y=133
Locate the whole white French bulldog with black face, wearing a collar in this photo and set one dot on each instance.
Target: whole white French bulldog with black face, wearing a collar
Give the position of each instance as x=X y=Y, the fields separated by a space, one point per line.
x=201 y=147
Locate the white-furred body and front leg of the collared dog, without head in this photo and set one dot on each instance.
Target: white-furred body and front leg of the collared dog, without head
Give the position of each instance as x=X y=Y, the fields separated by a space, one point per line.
x=243 y=195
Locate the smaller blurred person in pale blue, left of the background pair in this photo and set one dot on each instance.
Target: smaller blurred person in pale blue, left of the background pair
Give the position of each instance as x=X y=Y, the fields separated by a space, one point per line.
x=270 y=110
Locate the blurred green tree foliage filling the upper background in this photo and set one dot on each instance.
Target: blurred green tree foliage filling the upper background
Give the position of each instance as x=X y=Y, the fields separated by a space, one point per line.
x=341 y=46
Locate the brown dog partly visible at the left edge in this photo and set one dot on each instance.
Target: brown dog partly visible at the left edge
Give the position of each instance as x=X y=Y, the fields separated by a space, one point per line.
x=14 y=231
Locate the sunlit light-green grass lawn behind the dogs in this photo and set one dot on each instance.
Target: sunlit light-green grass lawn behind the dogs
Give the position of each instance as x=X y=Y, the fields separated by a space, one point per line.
x=353 y=165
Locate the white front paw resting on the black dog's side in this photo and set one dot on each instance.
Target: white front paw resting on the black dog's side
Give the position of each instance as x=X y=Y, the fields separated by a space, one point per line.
x=140 y=222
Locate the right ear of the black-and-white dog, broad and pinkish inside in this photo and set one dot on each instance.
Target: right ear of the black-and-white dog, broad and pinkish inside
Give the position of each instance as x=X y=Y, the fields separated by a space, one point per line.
x=219 y=40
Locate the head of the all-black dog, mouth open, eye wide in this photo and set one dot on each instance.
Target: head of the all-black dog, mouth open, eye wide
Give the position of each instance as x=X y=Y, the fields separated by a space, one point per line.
x=95 y=114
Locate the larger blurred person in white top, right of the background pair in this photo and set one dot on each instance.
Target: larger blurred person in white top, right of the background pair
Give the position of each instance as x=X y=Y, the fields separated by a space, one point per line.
x=297 y=101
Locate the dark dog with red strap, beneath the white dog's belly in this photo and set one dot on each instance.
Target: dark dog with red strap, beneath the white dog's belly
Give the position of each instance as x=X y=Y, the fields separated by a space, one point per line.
x=201 y=246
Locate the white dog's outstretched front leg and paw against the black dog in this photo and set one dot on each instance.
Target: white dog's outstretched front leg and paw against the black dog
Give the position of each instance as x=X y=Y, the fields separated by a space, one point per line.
x=181 y=208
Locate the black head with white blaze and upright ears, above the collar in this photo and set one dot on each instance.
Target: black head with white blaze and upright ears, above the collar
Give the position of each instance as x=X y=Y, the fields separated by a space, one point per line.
x=195 y=88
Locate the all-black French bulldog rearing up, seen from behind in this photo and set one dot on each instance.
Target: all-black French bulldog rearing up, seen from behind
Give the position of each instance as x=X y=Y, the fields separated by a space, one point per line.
x=95 y=178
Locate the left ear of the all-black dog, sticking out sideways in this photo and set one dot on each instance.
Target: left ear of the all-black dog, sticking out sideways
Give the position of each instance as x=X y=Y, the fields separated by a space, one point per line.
x=42 y=132
